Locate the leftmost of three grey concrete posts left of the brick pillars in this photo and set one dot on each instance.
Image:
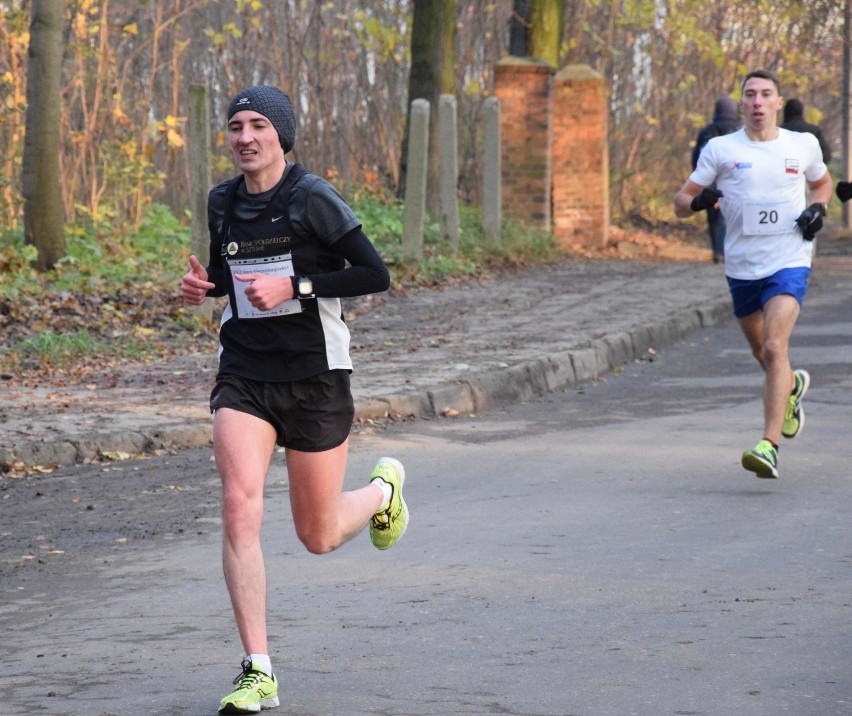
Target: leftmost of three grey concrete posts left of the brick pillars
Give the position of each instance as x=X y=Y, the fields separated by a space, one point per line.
x=414 y=211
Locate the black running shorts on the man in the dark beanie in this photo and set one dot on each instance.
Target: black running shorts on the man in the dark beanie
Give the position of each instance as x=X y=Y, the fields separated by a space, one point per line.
x=310 y=415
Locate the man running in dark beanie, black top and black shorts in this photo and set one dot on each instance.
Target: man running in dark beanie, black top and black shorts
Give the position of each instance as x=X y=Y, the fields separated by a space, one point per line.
x=280 y=241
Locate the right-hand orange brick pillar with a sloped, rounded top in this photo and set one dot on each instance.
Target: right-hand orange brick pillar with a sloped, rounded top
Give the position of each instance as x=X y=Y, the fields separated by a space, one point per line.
x=580 y=157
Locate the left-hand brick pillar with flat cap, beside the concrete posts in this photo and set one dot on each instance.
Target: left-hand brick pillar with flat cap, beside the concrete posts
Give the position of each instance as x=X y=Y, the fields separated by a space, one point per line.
x=524 y=88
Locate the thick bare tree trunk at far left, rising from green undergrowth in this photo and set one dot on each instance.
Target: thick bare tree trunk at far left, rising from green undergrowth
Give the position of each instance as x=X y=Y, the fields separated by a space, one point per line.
x=43 y=214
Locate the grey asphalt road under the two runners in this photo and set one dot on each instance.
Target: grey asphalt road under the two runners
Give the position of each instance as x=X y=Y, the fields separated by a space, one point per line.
x=598 y=552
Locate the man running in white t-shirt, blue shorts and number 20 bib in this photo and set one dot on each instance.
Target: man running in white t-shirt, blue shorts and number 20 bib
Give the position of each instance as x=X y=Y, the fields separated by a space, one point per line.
x=765 y=178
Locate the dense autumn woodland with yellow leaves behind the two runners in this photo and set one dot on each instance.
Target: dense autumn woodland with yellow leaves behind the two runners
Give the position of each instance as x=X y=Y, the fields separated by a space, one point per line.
x=127 y=66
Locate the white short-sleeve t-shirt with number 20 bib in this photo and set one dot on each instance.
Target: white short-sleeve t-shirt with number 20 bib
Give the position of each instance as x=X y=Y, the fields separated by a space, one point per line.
x=764 y=187
